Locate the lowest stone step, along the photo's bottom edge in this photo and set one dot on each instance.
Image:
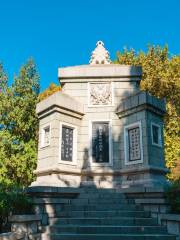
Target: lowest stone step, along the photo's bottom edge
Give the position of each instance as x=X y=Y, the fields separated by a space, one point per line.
x=107 y=237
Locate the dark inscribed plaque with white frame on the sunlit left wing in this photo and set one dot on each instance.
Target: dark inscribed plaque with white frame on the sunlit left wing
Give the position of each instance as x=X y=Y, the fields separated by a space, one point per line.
x=67 y=144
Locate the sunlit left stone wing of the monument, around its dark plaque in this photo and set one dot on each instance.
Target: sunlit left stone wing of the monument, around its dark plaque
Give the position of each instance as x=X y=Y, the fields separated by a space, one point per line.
x=55 y=112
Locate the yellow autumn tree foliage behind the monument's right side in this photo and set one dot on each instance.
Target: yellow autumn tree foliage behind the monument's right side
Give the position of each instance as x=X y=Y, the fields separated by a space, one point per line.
x=161 y=77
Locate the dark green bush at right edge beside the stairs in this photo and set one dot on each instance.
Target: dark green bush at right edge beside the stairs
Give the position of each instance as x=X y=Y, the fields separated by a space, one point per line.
x=173 y=195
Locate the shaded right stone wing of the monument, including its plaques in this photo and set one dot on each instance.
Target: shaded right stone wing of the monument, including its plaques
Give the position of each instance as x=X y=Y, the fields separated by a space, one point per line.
x=144 y=148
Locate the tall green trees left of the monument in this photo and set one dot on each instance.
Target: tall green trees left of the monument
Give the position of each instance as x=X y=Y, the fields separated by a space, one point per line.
x=19 y=126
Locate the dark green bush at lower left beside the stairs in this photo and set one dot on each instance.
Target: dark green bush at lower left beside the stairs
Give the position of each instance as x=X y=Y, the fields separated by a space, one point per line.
x=13 y=200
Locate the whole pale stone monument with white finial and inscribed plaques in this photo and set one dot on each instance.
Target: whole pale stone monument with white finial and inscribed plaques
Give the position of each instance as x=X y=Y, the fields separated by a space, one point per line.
x=100 y=130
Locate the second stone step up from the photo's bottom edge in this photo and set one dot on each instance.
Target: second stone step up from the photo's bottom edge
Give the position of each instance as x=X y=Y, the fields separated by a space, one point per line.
x=106 y=229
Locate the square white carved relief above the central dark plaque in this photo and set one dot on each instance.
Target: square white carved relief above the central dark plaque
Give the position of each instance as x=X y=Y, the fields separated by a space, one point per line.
x=100 y=94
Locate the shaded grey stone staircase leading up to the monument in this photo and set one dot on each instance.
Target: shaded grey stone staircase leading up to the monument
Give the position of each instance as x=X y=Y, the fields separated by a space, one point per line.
x=102 y=214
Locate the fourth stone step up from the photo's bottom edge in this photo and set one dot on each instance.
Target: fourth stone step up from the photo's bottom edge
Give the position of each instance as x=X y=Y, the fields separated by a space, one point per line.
x=108 y=213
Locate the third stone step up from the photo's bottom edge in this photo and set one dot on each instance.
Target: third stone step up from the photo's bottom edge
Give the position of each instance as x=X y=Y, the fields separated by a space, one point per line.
x=105 y=221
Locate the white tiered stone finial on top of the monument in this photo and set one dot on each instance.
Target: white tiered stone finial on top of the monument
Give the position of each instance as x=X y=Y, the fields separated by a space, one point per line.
x=100 y=55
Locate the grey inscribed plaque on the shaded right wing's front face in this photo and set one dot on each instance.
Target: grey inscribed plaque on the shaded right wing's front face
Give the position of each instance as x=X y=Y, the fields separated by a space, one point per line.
x=134 y=144
